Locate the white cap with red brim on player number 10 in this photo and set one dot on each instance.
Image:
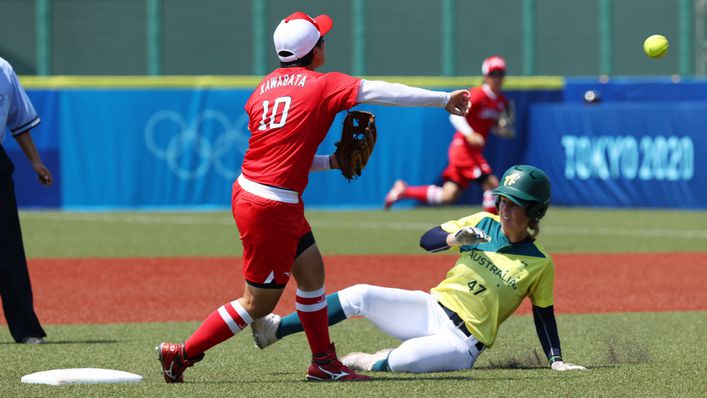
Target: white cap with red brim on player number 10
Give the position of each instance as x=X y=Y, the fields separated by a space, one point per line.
x=297 y=35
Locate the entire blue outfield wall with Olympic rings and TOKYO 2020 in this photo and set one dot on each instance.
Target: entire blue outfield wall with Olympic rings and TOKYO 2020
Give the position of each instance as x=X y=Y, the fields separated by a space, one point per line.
x=182 y=148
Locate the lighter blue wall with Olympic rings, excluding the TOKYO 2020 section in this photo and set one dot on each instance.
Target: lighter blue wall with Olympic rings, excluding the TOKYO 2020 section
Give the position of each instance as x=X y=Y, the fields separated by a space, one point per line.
x=182 y=148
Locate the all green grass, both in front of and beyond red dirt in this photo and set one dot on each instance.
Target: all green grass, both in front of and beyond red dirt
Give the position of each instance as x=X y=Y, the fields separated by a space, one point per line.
x=633 y=354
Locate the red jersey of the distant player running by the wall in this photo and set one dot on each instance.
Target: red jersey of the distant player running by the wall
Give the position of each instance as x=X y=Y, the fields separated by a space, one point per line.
x=485 y=106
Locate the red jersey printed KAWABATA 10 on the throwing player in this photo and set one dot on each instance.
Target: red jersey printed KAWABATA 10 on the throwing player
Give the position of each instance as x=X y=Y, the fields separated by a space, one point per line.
x=290 y=113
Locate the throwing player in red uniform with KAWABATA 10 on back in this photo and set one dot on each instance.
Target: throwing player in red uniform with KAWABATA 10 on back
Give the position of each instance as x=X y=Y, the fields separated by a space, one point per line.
x=290 y=113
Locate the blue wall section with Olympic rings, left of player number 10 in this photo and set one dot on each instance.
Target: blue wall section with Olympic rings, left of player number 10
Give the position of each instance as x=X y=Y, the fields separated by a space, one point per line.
x=151 y=148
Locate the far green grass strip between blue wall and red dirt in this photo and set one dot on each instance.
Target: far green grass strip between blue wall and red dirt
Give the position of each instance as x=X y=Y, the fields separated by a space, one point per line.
x=64 y=234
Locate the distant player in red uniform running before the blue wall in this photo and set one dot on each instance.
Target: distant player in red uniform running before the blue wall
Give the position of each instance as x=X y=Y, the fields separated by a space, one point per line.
x=466 y=160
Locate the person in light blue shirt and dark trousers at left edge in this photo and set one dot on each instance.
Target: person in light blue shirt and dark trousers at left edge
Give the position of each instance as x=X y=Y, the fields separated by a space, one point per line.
x=18 y=116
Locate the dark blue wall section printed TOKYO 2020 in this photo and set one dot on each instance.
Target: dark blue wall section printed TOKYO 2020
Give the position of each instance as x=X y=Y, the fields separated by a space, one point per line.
x=622 y=154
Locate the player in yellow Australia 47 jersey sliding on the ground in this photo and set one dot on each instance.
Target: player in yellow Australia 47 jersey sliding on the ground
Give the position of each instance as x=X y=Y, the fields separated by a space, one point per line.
x=500 y=264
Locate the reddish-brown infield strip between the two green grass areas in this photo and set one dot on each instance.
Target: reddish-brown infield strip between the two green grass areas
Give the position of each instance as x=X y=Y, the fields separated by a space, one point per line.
x=113 y=290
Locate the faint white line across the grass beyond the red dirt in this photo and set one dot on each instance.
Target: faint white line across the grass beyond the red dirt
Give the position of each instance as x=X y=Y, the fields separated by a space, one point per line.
x=366 y=225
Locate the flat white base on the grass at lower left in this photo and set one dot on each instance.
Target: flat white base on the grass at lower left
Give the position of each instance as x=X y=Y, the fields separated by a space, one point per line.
x=58 y=377
